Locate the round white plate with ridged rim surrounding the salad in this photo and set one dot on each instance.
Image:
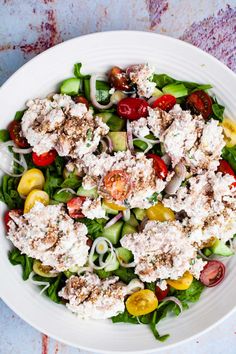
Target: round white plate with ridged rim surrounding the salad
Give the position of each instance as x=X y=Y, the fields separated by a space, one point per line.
x=40 y=76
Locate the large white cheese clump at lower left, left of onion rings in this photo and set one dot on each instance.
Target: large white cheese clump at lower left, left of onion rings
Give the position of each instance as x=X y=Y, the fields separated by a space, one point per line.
x=48 y=233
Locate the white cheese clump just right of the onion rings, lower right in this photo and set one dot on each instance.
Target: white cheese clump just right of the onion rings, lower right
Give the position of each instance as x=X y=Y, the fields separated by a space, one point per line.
x=161 y=251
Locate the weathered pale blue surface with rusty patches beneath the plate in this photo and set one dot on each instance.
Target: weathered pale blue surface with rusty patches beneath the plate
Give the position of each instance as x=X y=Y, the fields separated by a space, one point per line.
x=31 y=26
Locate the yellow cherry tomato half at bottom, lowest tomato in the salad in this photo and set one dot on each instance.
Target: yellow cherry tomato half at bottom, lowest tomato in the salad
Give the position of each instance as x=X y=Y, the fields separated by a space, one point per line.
x=141 y=302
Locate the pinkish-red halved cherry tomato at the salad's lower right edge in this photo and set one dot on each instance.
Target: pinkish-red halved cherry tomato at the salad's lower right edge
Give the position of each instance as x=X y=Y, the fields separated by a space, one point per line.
x=212 y=274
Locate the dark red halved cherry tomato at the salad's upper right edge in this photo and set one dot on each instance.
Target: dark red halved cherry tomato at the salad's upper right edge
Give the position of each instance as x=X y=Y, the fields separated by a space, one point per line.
x=199 y=102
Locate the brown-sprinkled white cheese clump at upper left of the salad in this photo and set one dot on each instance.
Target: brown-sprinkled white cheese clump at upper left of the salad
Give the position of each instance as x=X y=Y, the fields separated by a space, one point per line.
x=62 y=124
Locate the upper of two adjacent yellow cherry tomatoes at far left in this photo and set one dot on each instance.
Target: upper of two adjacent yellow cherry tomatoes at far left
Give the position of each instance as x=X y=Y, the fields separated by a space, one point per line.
x=31 y=179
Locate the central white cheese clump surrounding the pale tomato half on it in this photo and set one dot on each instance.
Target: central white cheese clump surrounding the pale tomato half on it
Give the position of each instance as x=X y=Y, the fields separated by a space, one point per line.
x=143 y=180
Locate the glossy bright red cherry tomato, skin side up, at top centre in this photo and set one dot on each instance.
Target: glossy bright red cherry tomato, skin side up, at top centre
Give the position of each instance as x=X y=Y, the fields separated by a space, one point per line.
x=132 y=108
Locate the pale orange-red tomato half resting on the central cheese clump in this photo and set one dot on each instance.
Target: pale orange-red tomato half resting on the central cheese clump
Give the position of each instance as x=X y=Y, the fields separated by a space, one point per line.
x=117 y=184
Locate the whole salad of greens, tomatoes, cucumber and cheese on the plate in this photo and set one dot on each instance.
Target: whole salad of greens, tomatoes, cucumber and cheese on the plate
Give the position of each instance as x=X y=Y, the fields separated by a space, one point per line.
x=120 y=190
